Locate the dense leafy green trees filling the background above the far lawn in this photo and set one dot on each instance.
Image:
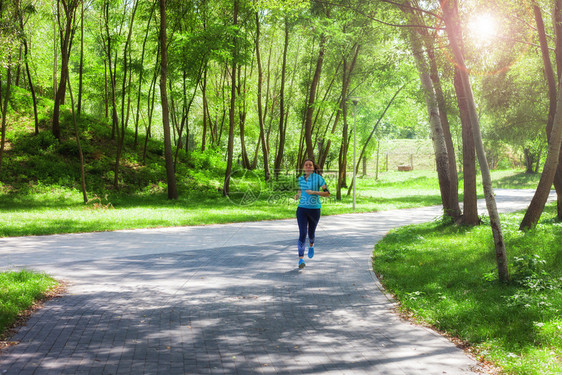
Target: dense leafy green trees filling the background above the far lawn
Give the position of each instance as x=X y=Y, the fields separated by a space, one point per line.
x=273 y=74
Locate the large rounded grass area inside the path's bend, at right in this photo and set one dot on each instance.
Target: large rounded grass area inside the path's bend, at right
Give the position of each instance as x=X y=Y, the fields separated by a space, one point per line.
x=446 y=276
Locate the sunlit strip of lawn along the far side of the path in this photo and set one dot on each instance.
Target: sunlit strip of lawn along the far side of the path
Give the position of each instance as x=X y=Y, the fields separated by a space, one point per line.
x=47 y=209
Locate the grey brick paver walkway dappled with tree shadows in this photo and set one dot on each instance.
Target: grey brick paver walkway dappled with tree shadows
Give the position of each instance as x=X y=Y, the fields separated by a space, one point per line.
x=224 y=299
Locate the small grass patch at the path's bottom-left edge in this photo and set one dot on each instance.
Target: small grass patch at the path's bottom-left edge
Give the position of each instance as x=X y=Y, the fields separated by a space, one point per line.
x=18 y=292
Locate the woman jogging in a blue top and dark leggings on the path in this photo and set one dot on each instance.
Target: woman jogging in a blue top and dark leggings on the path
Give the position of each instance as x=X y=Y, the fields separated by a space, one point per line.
x=312 y=186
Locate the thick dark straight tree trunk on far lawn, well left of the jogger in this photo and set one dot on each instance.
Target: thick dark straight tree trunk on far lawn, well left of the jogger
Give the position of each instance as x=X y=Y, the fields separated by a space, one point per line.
x=170 y=172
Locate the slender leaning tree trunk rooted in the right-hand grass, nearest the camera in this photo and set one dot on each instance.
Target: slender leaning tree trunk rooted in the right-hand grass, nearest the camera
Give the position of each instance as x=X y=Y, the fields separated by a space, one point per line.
x=454 y=33
